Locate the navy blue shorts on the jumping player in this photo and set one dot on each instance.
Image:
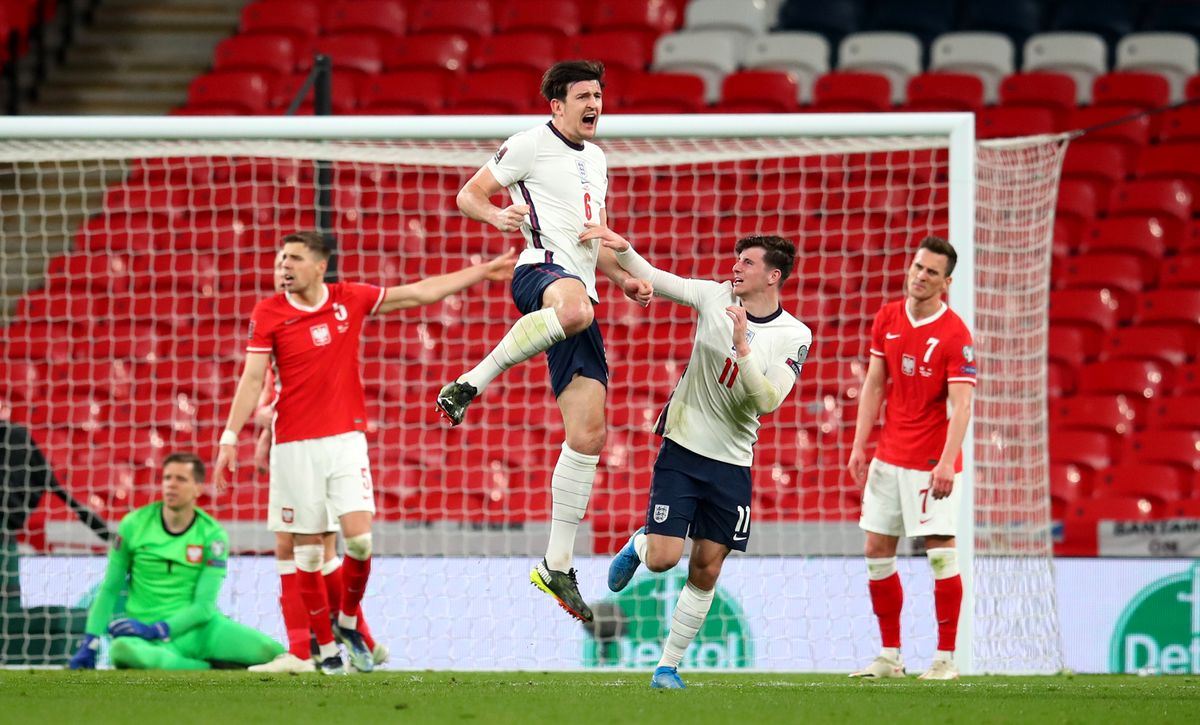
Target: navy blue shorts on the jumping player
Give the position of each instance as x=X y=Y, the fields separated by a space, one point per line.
x=581 y=355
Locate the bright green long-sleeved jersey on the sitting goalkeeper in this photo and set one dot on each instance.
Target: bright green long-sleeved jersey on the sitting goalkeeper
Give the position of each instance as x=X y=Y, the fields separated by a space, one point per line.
x=172 y=578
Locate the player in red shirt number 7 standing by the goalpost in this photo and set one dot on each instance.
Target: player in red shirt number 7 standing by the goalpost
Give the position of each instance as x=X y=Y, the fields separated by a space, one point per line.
x=922 y=357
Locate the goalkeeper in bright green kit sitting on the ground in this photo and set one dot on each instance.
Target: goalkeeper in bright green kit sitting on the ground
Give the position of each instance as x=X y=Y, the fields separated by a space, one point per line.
x=173 y=558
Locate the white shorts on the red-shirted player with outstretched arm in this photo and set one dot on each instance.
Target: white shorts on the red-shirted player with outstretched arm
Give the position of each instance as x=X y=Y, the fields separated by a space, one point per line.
x=316 y=482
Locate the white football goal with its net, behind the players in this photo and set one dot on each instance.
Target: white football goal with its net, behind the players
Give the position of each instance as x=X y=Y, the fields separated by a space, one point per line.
x=176 y=219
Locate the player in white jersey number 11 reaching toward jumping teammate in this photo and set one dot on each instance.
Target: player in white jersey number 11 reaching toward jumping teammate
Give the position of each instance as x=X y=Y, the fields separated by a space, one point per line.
x=746 y=359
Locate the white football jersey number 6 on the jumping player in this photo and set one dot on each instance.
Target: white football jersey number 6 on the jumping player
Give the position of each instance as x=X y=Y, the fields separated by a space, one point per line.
x=565 y=184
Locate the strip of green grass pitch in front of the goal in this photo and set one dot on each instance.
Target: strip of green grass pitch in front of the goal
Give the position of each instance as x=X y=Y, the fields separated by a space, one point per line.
x=45 y=697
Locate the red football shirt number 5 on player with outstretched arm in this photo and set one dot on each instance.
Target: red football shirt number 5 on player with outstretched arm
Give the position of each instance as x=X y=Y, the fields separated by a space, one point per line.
x=316 y=351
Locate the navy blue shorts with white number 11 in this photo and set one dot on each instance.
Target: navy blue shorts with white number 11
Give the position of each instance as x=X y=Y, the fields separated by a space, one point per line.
x=695 y=496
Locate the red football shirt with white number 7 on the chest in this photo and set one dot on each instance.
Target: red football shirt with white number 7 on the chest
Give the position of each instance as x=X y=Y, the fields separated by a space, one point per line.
x=922 y=359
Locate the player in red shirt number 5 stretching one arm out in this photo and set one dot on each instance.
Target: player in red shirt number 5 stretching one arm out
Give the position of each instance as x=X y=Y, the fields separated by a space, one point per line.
x=319 y=462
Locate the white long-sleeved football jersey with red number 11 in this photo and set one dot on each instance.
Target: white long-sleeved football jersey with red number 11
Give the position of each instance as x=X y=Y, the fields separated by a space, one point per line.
x=710 y=412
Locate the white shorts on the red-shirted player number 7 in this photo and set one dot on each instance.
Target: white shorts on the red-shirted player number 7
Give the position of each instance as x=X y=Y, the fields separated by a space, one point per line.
x=898 y=502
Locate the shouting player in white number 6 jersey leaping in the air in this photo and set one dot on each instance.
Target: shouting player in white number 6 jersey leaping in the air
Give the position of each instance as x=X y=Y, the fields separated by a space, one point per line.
x=559 y=182
